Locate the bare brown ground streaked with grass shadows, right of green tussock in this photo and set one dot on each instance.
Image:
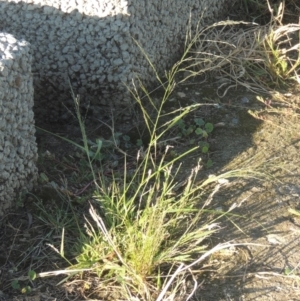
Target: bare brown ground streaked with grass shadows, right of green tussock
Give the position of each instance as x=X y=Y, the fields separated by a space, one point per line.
x=268 y=270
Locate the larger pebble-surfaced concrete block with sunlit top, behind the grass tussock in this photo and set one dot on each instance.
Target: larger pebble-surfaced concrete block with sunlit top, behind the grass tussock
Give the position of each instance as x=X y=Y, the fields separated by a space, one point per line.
x=90 y=42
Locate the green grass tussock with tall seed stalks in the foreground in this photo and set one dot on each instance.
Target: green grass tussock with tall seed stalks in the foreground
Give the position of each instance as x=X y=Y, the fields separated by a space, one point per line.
x=145 y=229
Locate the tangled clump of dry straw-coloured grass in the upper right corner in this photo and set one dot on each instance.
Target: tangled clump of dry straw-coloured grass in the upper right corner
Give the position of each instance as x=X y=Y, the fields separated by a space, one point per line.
x=257 y=57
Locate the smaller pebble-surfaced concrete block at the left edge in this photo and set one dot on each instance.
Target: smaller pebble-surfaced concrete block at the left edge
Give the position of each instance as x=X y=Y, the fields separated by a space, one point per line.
x=18 y=151
